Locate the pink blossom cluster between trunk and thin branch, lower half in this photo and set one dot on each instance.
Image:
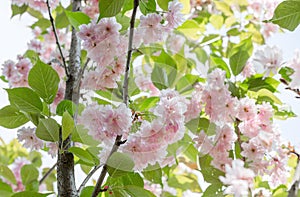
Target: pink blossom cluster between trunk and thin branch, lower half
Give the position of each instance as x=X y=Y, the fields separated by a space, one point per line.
x=105 y=123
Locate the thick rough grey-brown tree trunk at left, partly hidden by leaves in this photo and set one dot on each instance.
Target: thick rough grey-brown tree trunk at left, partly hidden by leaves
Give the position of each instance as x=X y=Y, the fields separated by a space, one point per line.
x=65 y=161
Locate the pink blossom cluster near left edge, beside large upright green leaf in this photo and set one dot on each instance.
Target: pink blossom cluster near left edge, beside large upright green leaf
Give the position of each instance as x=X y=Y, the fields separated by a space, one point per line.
x=17 y=73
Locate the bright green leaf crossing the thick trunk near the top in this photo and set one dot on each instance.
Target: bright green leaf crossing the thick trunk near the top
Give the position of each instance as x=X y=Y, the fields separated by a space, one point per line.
x=77 y=18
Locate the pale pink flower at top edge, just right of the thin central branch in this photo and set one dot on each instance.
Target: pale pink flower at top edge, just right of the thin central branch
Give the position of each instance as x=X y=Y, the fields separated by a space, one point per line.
x=174 y=15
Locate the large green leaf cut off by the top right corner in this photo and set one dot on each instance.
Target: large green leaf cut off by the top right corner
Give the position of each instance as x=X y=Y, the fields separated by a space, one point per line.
x=287 y=15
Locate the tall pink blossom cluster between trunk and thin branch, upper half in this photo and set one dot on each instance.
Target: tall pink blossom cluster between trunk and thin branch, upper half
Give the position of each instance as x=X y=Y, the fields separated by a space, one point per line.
x=107 y=48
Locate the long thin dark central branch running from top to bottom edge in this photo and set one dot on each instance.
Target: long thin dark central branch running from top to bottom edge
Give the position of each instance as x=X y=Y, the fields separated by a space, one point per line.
x=118 y=140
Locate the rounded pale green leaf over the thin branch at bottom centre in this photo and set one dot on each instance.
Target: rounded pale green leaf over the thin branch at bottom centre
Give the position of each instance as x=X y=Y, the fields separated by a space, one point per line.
x=119 y=164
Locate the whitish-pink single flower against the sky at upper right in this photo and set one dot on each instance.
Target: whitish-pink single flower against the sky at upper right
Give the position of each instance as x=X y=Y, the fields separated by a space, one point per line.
x=269 y=59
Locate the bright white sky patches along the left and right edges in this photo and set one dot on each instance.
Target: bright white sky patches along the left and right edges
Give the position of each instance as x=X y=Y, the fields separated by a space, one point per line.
x=15 y=34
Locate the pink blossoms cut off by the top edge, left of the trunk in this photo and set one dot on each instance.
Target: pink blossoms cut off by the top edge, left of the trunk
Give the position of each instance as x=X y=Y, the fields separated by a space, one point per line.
x=39 y=5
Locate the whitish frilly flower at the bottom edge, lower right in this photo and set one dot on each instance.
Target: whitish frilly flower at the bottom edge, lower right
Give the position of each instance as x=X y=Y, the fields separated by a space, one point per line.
x=238 y=178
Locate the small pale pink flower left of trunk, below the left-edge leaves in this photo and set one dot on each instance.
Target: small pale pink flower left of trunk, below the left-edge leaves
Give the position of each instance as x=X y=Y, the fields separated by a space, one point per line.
x=30 y=139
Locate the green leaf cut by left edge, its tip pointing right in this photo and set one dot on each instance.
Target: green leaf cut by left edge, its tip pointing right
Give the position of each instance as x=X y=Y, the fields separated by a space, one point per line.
x=11 y=118
